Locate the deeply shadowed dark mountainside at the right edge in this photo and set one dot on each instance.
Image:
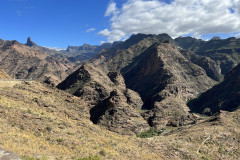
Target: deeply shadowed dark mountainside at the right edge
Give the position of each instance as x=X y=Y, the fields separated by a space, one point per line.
x=224 y=96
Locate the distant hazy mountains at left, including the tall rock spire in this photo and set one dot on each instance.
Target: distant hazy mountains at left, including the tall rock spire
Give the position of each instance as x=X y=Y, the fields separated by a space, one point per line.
x=30 y=61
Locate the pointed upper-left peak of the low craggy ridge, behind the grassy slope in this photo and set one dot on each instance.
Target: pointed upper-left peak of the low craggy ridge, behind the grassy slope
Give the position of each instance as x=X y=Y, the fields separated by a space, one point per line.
x=89 y=83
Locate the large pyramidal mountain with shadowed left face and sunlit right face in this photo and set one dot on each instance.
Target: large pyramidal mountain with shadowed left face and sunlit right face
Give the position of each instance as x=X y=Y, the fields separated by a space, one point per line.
x=162 y=71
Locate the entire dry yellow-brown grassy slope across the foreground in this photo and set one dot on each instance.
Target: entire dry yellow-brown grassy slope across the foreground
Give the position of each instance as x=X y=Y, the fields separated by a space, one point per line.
x=46 y=123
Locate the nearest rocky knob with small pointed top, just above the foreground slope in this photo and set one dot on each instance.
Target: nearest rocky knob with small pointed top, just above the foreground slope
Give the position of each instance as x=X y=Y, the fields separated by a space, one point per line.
x=117 y=115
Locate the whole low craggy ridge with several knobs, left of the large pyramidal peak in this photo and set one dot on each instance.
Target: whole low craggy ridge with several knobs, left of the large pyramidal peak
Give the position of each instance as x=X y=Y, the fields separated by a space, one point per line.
x=111 y=104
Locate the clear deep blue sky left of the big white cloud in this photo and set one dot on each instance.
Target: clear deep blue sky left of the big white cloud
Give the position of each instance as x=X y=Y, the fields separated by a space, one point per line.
x=53 y=23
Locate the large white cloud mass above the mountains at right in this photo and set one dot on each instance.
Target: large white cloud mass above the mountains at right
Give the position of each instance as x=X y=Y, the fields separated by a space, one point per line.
x=196 y=17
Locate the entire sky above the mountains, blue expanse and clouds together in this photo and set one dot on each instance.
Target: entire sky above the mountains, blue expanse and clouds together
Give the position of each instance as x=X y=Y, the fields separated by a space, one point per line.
x=59 y=23
